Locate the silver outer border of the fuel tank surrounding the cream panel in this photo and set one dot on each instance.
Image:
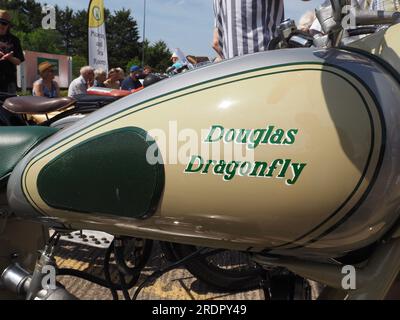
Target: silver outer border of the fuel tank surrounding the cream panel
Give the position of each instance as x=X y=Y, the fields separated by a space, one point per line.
x=371 y=219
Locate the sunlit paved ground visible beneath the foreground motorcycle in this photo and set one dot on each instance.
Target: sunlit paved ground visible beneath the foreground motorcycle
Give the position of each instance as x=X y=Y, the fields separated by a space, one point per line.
x=177 y=284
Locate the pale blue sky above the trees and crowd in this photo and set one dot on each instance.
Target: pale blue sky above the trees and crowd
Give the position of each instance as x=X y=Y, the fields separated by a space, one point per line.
x=186 y=24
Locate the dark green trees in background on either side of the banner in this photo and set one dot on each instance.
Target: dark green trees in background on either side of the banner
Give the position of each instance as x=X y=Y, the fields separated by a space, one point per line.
x=71 y=35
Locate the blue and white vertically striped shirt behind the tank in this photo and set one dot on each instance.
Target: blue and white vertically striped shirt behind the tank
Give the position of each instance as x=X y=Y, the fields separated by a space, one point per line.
x=246 y=26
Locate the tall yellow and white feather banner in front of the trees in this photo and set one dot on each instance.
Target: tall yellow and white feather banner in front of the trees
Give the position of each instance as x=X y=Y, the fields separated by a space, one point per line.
x=97 y=39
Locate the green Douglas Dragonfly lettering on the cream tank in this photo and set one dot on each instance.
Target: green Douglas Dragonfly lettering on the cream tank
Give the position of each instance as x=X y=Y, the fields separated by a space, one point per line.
x=285 y=169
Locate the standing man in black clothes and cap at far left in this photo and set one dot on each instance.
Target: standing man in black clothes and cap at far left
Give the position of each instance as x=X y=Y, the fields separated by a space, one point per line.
x=11 y=55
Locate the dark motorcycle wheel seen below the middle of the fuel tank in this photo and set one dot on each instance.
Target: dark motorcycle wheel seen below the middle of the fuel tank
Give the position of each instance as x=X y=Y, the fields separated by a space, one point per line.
x=225 y=270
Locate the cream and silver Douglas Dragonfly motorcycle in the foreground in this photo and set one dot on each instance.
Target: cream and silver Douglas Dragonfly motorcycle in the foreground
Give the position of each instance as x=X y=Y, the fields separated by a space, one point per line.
x=318 y=194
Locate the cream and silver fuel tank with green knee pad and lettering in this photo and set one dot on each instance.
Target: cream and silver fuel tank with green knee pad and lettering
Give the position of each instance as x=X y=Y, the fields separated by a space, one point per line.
x=294 y=151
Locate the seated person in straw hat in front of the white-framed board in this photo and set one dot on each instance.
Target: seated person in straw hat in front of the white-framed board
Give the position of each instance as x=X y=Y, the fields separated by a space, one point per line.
x=46 y=86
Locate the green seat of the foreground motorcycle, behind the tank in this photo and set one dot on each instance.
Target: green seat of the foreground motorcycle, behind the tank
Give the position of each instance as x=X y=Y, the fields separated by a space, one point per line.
x=16 y=142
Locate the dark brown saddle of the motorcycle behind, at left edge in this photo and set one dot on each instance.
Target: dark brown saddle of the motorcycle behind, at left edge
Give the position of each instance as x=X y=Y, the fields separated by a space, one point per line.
x=37 y=105
